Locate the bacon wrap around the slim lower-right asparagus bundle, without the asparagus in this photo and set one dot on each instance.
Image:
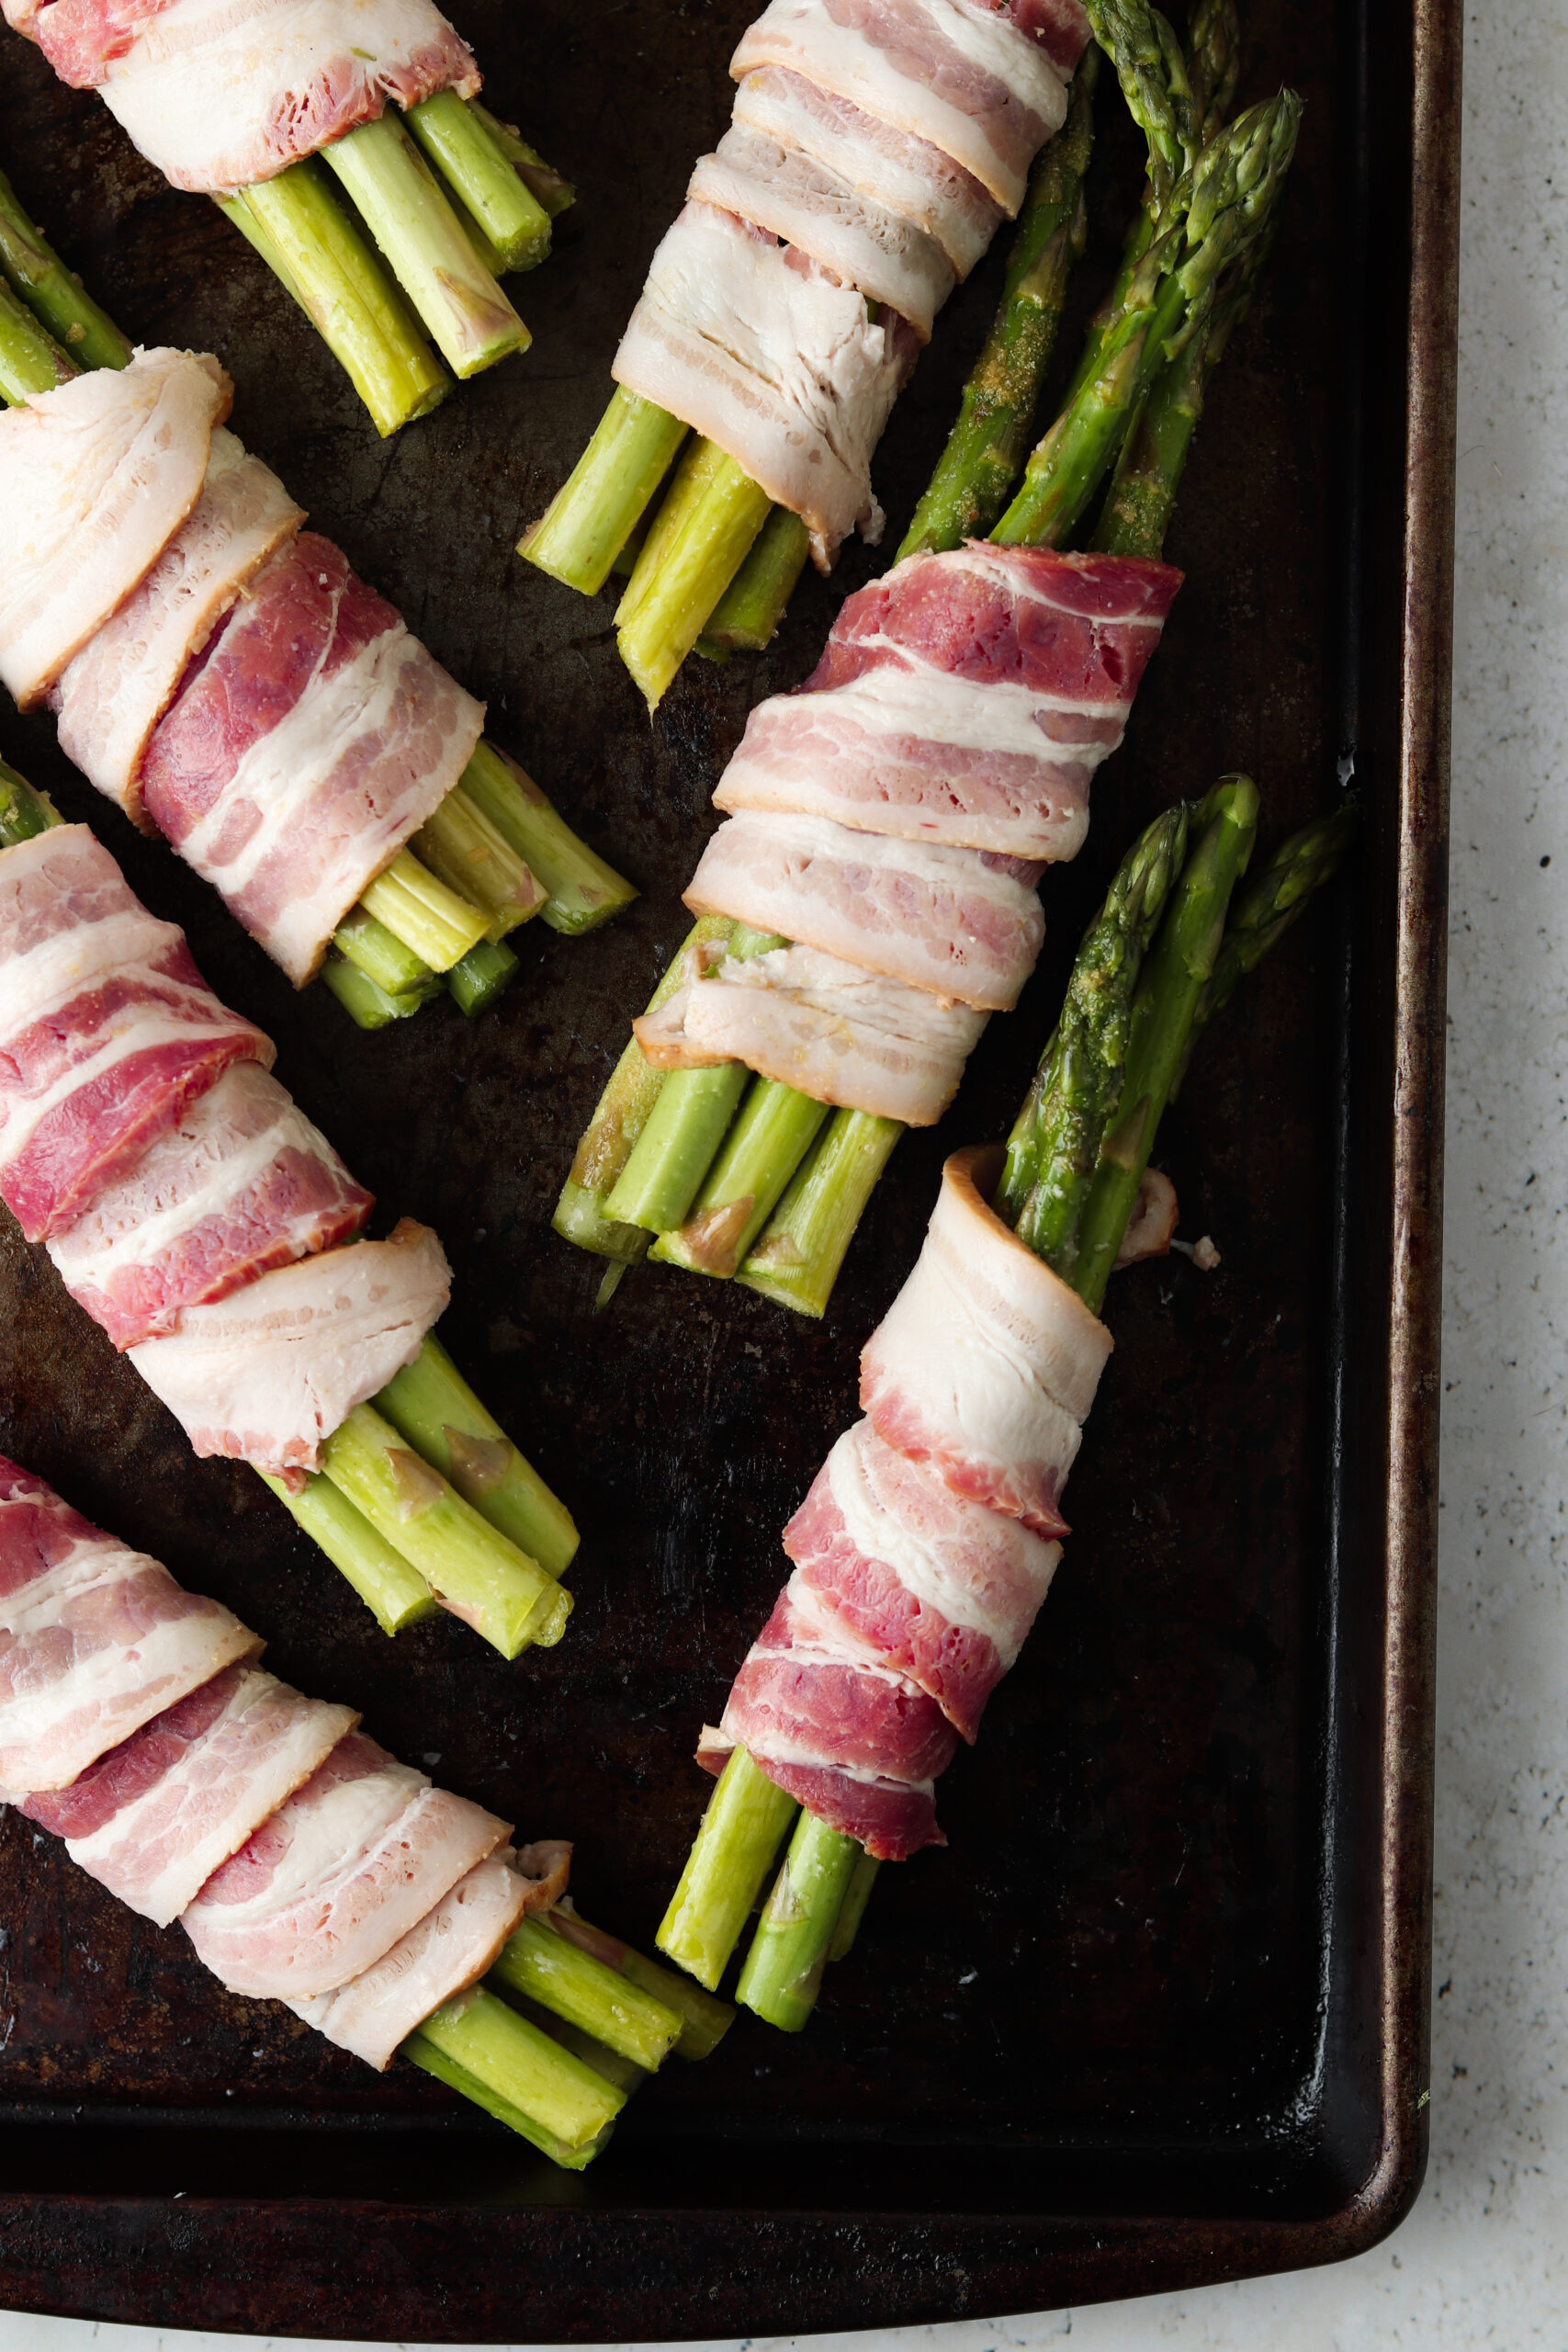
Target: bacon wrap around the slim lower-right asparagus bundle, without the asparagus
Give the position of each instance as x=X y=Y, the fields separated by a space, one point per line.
x=930 y=1537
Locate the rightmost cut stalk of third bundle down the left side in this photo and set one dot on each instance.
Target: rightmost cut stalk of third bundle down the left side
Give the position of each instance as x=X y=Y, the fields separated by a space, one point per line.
x=441 y=1417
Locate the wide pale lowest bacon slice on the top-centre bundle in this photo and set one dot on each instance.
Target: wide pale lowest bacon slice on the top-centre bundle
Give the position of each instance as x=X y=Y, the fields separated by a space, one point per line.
x=775 y=361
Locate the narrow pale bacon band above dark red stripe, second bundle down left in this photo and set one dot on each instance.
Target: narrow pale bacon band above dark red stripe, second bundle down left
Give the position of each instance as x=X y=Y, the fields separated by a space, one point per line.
x=123 y=681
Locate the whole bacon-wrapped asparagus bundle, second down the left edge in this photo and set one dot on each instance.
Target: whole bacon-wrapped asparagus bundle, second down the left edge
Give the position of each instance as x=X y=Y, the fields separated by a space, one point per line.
x=227 y=681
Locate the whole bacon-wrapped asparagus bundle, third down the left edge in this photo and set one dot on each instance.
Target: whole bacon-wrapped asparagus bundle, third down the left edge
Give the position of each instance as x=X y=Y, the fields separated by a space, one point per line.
x=206 y=1224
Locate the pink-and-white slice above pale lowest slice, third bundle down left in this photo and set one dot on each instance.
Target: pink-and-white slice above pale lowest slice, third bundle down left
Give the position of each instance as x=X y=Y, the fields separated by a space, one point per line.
x=239 y=1187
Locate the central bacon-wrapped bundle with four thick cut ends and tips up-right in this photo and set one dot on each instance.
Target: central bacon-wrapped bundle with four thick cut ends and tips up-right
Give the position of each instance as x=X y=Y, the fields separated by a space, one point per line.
x=871 y=897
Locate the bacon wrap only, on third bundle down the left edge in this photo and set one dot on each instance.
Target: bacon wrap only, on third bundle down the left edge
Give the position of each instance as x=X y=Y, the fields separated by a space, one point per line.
x=189 y=1205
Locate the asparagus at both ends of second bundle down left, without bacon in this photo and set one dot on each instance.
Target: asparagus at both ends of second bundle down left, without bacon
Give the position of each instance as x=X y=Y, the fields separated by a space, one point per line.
x=492 y=857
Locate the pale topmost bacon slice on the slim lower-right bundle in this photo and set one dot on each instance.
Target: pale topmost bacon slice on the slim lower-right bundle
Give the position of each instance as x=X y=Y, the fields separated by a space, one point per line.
x=986 y=1363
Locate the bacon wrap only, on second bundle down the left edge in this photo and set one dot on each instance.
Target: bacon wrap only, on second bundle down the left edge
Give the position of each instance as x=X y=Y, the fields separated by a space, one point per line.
x=217 y=674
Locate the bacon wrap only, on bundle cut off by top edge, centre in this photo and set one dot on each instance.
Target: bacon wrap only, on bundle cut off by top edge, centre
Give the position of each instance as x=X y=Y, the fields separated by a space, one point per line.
x=876 y=149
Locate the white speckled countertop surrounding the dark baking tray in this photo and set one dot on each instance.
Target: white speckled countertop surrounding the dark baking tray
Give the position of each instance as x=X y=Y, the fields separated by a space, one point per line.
x=1485 y=2259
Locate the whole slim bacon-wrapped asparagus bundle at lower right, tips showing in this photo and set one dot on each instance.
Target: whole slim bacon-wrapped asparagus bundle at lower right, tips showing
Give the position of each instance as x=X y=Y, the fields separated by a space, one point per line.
x=934 y=1530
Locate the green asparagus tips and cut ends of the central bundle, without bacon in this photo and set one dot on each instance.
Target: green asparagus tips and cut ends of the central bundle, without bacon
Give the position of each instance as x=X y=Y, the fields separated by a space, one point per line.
x=746 y=1177
